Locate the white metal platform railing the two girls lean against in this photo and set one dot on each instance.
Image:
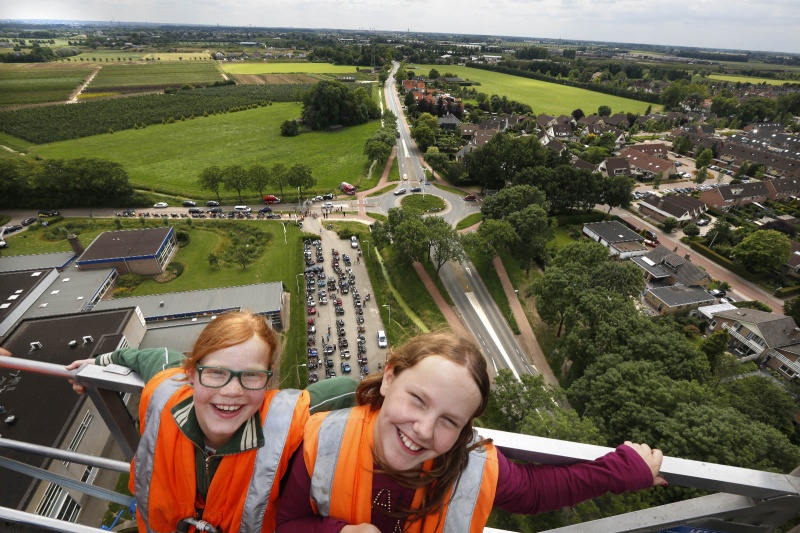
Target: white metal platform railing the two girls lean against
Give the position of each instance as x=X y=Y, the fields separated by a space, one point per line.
x=743 y=499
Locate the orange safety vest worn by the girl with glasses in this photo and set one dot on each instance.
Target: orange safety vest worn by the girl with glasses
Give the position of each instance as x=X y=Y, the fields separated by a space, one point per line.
x=241 y=496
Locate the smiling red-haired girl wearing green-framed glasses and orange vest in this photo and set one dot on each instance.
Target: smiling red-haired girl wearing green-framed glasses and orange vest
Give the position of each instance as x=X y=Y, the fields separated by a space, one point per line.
x=215 y=442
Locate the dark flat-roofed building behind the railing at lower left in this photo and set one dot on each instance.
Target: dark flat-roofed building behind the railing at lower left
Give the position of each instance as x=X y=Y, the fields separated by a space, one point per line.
x=49 y=413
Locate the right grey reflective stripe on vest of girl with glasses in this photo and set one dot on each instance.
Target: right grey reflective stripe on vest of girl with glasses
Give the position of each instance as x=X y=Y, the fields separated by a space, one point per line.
x=276 y=431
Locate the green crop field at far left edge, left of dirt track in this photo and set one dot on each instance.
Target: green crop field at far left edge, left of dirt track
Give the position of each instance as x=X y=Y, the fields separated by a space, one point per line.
x=32 y=83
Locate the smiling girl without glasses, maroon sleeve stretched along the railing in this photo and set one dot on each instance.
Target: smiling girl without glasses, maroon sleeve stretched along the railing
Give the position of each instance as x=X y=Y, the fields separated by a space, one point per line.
x=408 y=460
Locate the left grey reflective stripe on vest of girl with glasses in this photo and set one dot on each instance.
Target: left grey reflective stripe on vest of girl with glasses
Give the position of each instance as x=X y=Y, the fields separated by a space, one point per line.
x=143 y=468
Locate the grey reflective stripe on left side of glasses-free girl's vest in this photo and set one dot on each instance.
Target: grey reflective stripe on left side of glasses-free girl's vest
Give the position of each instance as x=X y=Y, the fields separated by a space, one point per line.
x=331 y=434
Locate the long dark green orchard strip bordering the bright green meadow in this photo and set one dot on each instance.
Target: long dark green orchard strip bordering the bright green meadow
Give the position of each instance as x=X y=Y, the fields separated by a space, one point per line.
x=61 y=122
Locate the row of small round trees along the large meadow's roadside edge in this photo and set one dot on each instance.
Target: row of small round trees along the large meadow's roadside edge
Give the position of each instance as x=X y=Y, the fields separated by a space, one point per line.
x=257 y=177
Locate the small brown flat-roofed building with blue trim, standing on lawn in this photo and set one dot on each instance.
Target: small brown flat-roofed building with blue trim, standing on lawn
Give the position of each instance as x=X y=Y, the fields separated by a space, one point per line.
x=139 y=251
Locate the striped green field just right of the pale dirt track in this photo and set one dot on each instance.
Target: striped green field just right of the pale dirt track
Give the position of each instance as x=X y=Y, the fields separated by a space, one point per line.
x=139 y=77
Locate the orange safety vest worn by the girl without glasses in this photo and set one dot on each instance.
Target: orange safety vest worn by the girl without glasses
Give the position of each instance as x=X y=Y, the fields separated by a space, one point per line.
x=338 y=451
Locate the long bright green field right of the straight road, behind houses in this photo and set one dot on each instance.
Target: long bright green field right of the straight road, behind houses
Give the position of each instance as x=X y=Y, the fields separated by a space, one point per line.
x=543 y=97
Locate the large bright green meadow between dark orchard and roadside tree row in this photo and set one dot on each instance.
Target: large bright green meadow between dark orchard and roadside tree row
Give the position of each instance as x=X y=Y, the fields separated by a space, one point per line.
x=168 y=158
